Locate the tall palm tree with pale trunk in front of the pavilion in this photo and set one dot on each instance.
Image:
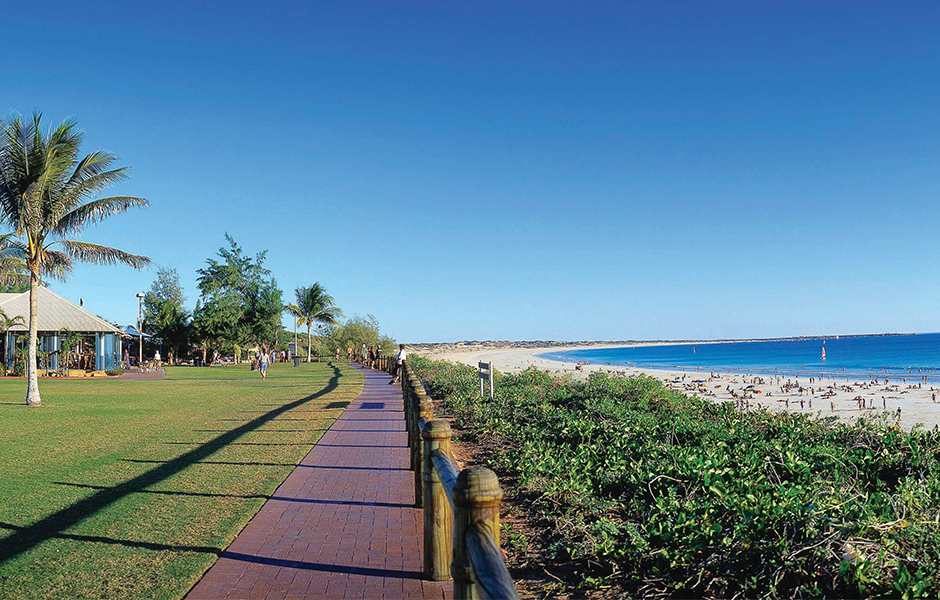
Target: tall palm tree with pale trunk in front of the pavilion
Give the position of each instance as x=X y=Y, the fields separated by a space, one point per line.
x=47 y=195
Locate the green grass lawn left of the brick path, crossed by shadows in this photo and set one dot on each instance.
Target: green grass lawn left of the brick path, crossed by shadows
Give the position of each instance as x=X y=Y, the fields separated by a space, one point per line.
x=131 y=489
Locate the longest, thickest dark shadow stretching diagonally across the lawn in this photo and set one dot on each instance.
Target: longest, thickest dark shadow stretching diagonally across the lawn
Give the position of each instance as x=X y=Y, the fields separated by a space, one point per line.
x=25 y=538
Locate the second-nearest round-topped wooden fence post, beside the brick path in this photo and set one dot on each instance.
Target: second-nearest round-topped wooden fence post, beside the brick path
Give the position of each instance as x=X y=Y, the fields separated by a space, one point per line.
x=438 y=520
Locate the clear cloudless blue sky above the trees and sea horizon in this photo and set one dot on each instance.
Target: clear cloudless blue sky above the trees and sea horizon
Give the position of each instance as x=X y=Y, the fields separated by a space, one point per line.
x=517 y=170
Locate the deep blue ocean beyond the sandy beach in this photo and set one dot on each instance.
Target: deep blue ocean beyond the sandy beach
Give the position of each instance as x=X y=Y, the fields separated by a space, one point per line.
x=860 y=357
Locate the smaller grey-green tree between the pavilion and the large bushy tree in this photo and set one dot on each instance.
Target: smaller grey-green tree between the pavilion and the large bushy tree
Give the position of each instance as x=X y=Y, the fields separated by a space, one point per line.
x=165 y=314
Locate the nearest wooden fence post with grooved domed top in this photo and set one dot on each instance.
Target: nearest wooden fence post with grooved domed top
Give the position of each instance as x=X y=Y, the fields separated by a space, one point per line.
x=476 y=502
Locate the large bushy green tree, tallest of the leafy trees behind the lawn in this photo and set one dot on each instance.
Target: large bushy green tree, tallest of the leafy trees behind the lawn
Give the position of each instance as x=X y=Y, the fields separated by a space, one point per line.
x=239 y=302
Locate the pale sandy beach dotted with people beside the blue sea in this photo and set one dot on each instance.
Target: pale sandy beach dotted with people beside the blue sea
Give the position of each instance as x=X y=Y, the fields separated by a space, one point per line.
x=827 y=397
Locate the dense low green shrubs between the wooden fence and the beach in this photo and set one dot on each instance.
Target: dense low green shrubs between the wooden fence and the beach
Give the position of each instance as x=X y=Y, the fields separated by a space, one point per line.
x=641 y=491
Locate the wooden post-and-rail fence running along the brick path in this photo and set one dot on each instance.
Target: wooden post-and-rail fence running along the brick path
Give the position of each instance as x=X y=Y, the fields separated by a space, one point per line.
x=461 y=508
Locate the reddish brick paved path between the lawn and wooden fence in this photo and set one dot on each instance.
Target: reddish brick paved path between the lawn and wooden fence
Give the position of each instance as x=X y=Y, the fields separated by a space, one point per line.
x=342 y=524
